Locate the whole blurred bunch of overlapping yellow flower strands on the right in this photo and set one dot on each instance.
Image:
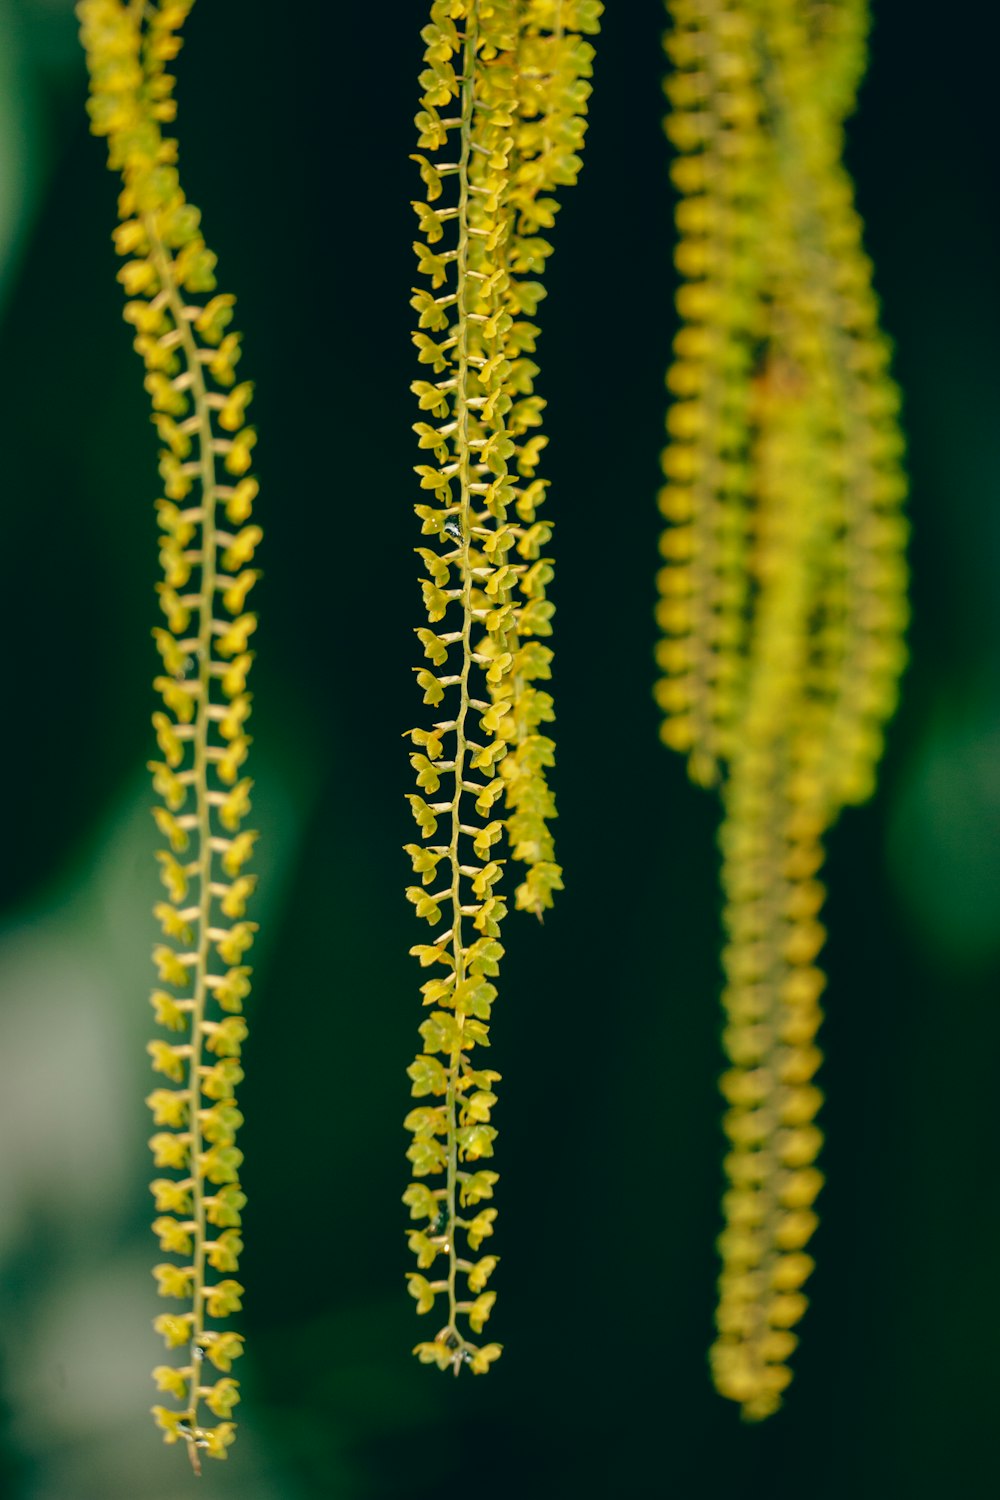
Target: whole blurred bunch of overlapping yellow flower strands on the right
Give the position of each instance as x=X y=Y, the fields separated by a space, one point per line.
x=783 y=596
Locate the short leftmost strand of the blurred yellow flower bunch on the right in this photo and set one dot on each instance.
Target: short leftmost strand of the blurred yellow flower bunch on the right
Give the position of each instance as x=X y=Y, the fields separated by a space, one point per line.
x=716 y=125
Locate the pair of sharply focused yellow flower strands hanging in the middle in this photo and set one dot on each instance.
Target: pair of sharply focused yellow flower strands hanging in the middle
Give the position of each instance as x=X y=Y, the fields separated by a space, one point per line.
x=501 y=118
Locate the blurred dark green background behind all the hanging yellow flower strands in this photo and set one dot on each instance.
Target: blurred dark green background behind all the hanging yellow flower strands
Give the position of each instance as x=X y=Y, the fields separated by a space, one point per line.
x=296 y=130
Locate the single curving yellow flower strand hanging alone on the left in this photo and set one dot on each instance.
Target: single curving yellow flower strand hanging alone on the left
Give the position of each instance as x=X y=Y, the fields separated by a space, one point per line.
x=208 y=548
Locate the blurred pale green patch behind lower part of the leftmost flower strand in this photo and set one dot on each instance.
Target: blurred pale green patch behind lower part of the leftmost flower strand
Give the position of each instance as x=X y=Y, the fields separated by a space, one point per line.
x=76 y=1295
